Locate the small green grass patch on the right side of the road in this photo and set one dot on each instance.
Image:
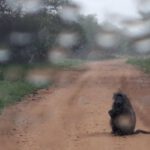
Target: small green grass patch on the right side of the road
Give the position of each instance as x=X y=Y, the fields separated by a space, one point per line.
x=143 y=64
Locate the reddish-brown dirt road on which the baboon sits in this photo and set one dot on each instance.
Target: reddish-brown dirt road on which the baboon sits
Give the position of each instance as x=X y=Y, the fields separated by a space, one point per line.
x=74 y=116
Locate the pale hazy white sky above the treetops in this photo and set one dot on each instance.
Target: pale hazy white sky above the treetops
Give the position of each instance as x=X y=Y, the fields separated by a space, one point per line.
x=126 y=8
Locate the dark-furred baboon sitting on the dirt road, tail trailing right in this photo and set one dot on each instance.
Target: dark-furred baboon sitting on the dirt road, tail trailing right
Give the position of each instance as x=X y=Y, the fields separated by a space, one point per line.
x=123 y=118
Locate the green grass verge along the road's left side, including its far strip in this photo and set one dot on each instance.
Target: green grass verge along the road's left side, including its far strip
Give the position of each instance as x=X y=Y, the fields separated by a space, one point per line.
x=13 y=89
